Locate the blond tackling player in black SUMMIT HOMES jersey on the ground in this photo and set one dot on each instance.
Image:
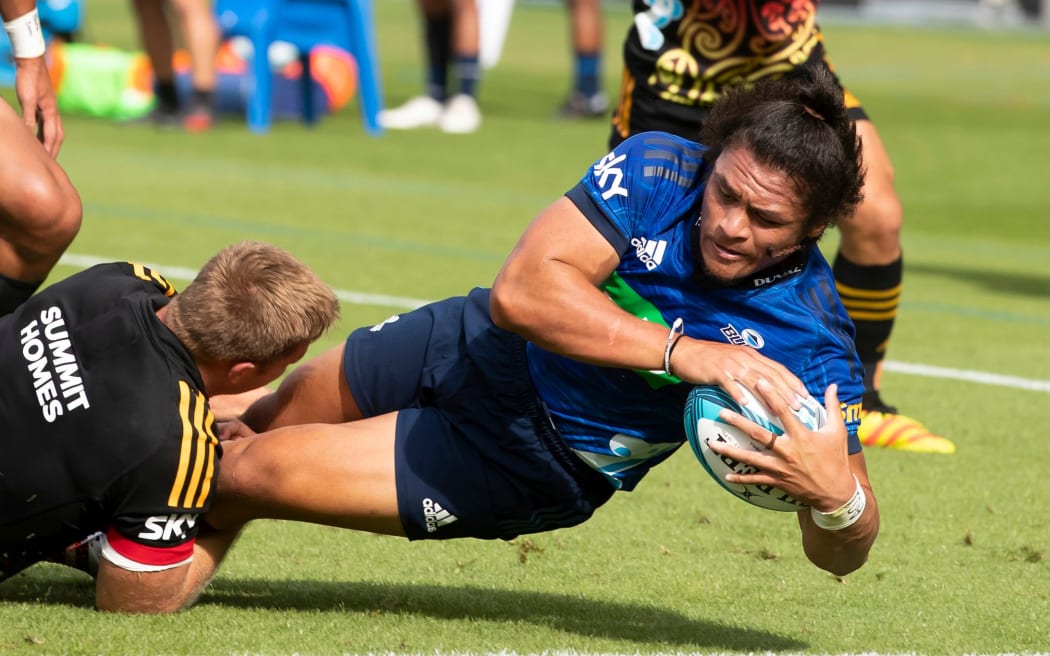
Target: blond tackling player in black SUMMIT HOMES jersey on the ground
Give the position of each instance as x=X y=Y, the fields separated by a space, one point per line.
x=106 y=425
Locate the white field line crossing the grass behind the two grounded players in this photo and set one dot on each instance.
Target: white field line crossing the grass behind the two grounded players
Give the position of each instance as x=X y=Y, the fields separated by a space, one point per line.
x=403 y=303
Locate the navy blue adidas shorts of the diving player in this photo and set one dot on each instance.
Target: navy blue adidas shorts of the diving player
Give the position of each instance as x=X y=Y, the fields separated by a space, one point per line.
x=477 y=455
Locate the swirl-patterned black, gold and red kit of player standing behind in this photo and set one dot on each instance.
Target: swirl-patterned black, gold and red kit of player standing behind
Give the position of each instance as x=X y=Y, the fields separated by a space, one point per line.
x=681 y=56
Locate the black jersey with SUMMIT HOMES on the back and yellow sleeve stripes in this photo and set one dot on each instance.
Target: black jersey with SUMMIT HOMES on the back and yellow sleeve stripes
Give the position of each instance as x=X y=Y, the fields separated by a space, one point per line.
x=104 y=426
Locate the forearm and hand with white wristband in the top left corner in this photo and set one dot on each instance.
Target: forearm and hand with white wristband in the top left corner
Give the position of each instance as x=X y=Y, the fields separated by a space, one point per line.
x=33 y=84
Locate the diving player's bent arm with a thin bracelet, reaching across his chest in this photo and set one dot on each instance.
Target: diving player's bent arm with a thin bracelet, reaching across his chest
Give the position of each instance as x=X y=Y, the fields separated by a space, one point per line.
x=549 y=291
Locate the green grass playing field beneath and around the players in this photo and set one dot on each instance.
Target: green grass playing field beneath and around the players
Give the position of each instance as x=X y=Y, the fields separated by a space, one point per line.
x=679 y=566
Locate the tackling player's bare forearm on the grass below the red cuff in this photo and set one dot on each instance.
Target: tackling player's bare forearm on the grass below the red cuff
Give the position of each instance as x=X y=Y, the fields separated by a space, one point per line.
x=130 y=590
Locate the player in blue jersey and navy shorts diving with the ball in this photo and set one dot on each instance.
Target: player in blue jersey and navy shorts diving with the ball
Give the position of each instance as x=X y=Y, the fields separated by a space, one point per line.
x=524 y=408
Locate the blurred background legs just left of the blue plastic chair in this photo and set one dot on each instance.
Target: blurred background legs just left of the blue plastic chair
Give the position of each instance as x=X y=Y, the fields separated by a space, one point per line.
x=201 y=34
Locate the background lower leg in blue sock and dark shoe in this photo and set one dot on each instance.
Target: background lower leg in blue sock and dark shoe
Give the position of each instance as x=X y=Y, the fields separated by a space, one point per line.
x=586 y=100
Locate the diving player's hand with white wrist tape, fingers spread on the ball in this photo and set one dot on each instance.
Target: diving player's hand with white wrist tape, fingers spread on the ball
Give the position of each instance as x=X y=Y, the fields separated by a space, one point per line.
x=814 y=467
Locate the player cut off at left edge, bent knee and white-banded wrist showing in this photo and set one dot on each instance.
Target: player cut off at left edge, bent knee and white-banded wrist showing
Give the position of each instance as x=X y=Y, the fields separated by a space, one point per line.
x=40 y=210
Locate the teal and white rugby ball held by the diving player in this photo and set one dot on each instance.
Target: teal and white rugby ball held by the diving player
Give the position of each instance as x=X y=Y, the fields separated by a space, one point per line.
x=703 y=427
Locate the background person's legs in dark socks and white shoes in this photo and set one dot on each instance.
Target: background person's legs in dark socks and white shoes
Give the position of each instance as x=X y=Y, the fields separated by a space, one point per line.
x=452 y=38
